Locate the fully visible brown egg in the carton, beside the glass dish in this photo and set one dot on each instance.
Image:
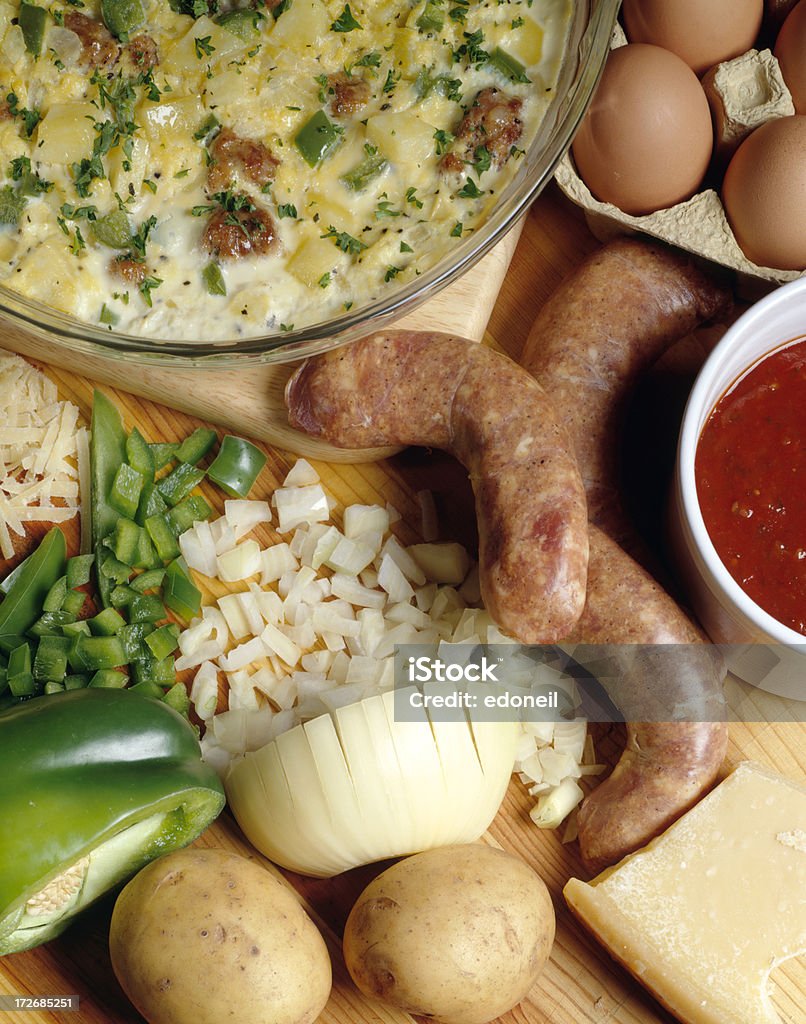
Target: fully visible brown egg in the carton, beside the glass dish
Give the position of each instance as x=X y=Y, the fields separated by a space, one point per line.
x=647 y=140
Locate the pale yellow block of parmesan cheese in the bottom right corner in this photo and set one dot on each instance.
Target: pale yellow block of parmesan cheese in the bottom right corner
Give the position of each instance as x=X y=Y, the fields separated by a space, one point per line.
x=703 y=915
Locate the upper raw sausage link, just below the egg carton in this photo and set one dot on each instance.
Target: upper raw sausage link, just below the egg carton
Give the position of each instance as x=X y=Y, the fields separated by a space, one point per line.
x=589 y=345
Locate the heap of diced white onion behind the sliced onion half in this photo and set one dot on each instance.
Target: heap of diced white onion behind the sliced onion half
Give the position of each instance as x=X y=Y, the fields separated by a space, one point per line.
x=319 y=630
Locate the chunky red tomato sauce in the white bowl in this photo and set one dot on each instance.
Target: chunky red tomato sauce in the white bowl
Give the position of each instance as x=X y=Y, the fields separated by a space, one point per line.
x=751 y=481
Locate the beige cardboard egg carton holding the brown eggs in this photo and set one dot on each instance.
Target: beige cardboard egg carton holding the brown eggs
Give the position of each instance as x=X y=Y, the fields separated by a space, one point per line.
x=744 y=94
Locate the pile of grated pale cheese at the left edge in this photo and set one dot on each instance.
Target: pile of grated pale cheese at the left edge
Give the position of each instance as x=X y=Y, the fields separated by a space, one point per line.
x=44 y=452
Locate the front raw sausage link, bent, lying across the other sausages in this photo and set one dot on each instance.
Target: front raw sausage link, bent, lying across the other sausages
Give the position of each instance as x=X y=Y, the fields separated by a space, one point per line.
x=436 y=391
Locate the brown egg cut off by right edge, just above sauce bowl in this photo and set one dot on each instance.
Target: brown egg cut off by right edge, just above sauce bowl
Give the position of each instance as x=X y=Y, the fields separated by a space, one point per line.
x=765 y=194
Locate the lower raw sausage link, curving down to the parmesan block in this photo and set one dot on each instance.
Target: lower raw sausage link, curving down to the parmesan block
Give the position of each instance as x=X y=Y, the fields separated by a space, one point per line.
x=666 y=766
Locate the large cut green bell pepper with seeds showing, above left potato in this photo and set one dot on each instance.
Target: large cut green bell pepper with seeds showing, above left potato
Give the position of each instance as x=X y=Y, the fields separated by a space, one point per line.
x=95 y=784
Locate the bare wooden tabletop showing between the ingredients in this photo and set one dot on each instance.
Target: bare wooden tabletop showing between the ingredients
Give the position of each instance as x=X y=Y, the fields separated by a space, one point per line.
x=581 y=985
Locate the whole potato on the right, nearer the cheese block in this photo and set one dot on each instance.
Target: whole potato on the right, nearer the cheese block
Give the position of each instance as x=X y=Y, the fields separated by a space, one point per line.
x=458 y=934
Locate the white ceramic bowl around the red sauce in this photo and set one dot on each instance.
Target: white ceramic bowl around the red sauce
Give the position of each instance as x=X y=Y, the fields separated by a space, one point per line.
x=727 y=613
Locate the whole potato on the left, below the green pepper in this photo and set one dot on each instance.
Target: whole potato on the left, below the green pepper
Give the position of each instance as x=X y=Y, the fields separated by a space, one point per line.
x=206 y=936
